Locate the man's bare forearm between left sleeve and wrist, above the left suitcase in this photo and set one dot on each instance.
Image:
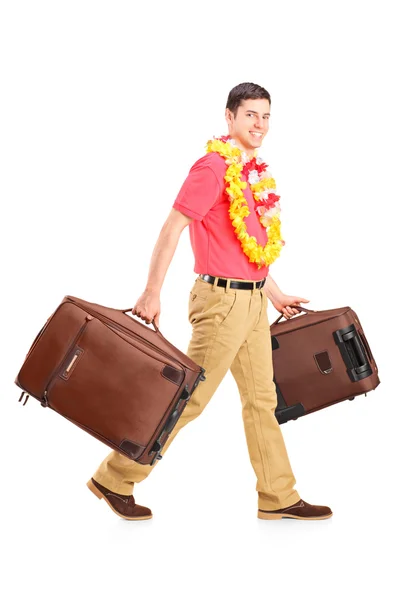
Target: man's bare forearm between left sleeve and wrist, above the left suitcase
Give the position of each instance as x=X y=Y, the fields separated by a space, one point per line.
x=161 y=258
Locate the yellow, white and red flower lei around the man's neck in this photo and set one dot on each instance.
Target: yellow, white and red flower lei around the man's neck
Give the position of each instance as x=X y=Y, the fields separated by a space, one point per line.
x=262 y=185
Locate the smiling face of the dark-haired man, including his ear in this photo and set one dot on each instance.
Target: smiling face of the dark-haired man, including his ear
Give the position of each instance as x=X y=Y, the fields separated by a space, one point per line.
x=251 y=123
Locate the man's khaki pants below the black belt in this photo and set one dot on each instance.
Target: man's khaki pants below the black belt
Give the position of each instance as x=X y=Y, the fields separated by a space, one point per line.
x=230 y=331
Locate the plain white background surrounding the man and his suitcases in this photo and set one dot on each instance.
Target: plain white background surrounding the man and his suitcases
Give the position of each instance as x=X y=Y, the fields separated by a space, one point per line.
x=104 y=108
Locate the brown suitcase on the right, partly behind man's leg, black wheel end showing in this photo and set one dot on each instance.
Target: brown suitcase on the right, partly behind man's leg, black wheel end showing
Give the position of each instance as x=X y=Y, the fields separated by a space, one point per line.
x=319 y=359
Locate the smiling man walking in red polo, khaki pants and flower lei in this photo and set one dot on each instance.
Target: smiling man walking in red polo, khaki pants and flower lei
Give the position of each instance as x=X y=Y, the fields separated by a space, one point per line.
x=229 y=201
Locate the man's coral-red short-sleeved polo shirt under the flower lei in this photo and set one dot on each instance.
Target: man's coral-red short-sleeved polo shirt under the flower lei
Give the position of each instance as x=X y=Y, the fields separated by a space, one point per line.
x=217 y=251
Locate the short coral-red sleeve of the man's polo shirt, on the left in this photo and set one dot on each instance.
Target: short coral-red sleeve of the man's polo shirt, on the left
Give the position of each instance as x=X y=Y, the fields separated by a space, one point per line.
x=199 y=192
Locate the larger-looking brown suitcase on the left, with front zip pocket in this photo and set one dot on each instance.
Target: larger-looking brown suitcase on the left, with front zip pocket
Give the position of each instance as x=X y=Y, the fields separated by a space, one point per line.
x=111 y=375
